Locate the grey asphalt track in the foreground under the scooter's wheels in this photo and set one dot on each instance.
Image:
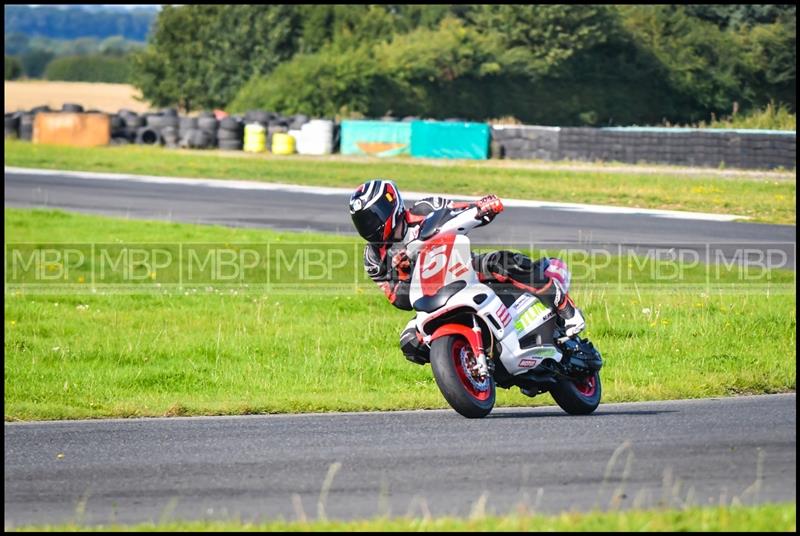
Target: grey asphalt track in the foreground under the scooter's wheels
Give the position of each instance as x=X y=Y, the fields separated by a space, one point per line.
x=698 y=452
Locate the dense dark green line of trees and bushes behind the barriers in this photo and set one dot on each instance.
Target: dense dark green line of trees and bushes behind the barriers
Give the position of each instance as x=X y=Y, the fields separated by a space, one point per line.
x=545 y=64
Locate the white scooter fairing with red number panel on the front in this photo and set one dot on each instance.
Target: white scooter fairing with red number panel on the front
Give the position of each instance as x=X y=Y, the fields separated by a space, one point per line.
x=446 y=258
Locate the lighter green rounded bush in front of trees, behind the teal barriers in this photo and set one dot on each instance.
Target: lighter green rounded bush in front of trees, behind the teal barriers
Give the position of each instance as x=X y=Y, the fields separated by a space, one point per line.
x=444 y=79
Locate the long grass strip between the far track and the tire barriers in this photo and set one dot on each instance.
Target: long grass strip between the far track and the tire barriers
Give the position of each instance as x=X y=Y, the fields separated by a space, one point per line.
x=760 y=196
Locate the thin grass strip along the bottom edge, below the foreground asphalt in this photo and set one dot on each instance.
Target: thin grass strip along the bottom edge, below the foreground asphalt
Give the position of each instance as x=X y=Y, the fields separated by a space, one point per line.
x=764 y=518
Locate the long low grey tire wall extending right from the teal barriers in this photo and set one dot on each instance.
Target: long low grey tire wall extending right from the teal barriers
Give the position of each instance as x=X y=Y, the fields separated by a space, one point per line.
x=748 y=149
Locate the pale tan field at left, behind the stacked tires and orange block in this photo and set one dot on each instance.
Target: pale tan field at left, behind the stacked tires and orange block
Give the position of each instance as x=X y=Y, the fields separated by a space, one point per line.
x=97 y=96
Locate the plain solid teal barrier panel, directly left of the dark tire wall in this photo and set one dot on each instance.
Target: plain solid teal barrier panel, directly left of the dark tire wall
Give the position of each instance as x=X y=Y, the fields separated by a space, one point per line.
x=435 y=139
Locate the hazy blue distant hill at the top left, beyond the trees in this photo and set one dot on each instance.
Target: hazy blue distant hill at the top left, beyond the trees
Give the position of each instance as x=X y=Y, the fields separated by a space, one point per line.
x=75 y=21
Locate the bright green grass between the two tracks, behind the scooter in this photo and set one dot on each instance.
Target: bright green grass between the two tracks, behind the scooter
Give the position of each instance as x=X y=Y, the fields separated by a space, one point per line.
x=331 y=344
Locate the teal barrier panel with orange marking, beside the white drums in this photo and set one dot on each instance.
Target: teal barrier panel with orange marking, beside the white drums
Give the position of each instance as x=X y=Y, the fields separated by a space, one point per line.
x=376 y=138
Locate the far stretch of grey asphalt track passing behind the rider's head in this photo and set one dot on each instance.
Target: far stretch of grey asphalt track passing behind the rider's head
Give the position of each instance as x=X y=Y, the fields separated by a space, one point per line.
x=327 y=212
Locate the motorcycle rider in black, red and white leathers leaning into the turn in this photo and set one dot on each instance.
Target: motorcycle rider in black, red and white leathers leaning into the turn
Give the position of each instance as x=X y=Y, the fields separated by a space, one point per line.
x=381 y=218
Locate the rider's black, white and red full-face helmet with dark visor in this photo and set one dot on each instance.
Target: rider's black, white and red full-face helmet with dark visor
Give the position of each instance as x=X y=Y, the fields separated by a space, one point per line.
x=378 y=212
